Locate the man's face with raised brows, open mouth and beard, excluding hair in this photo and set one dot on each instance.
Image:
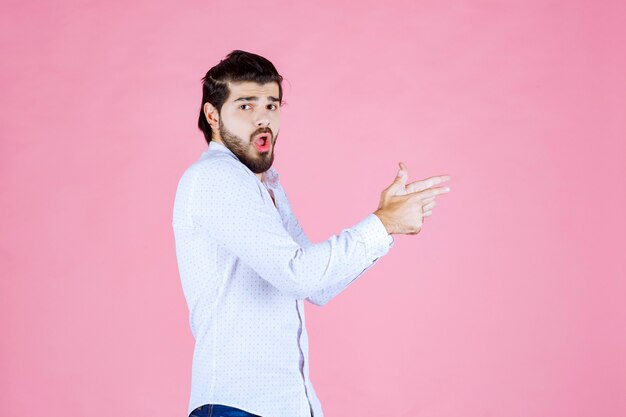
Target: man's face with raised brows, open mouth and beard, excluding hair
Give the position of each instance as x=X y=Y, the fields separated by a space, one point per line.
x=249 y=123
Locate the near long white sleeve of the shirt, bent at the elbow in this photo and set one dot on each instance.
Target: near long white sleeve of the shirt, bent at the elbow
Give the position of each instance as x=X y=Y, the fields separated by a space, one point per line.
x=226 y=200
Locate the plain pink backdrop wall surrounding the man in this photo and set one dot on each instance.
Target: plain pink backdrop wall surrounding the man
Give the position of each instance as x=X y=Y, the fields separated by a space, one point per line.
x=510 y=302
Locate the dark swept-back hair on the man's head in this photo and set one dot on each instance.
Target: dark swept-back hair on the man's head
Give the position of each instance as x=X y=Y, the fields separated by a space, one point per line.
x=237 y=66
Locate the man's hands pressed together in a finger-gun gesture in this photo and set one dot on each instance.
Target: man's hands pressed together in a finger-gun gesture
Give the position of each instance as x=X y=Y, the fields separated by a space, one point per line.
x=403 y=206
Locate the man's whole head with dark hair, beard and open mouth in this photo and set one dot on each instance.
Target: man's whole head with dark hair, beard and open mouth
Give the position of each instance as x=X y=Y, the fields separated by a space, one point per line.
x=241 y=99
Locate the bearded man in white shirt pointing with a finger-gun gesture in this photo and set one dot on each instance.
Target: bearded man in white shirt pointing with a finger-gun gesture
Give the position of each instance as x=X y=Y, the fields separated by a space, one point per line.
x=246 y=265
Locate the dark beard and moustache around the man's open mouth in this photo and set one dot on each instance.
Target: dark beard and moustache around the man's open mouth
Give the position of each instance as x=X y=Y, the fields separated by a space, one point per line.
x=247 y=154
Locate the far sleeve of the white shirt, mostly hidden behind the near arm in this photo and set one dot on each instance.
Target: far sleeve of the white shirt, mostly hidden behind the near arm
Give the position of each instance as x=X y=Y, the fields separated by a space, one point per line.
x=323 y=296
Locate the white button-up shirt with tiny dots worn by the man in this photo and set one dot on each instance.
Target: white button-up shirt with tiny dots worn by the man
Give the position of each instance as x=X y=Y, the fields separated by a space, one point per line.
x=246 y=267
